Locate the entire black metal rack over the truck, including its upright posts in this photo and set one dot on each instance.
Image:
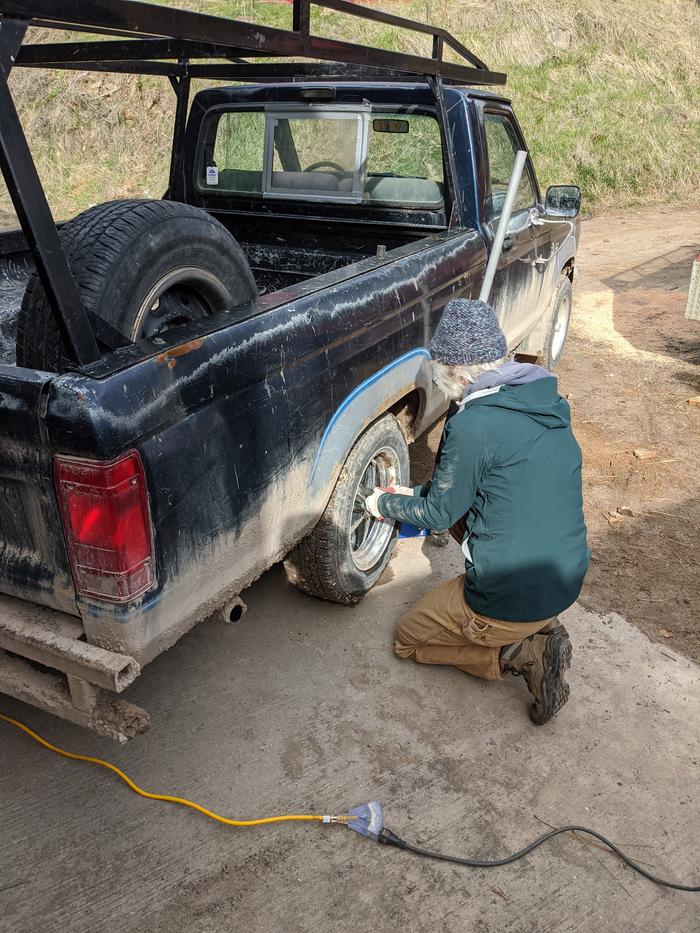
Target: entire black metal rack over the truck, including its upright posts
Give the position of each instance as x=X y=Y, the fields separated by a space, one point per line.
x=160 y=40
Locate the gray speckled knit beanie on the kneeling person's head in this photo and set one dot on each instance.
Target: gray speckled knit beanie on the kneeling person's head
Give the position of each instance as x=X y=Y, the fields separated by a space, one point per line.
x=468 y=333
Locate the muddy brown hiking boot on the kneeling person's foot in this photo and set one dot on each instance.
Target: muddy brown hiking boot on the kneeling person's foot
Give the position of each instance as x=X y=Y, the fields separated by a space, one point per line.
x=542 y=659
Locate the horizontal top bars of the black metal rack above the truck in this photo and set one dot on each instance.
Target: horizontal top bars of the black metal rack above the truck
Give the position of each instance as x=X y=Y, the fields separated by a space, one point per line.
x=162 y=40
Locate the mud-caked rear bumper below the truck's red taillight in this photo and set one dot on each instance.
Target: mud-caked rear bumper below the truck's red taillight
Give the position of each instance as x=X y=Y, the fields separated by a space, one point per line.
x=45 y=661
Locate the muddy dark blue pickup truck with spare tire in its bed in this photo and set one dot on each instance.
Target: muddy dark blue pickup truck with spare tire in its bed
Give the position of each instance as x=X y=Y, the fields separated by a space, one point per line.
x=262 y=363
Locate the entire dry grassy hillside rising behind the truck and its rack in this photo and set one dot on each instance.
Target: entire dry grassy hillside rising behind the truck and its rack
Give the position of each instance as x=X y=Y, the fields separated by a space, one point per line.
x=606 y=93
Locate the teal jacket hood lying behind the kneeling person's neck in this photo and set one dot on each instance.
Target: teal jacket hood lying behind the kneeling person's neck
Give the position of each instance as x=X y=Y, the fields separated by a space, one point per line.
x=538 y=399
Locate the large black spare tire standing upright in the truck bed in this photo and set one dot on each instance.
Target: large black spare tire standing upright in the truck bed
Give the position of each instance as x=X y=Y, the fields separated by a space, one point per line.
x=142 y=266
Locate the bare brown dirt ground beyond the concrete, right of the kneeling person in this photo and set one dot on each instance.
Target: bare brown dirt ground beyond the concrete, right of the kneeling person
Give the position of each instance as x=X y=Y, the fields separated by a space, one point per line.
x=630 y=367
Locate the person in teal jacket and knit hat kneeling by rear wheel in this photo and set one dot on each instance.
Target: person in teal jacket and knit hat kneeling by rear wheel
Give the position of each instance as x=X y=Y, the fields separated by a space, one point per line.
x=507 y=483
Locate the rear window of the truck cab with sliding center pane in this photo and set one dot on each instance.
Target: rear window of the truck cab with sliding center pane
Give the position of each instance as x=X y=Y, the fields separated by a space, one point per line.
x=332 y=154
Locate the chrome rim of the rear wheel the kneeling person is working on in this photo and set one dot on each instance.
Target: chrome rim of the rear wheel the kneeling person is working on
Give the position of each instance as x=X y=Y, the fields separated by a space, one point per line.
x=368 y=538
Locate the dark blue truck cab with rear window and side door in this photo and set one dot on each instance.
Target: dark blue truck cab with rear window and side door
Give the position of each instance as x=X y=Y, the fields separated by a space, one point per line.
x=387 y=176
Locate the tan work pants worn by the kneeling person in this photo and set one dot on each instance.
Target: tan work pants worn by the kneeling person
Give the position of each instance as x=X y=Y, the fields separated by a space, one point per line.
x=442 y=629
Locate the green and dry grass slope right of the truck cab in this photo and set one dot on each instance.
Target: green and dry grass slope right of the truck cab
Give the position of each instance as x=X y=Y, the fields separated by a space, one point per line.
x=607 y=94
